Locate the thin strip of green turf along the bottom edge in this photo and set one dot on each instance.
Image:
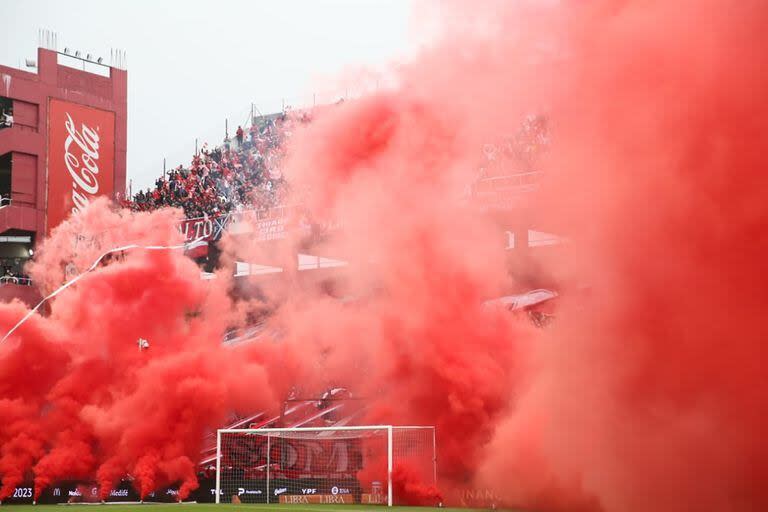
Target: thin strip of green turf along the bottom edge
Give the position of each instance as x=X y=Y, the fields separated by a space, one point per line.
x=209 y=507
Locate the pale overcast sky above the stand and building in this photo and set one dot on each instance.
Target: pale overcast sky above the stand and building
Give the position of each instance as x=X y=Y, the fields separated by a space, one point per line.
x=191 y=64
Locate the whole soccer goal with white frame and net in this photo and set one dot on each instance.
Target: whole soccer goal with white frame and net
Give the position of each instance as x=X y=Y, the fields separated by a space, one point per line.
x=350 y=464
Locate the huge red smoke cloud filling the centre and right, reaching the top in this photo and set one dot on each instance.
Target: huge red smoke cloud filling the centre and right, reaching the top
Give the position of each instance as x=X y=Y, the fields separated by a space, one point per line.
x=654 y=175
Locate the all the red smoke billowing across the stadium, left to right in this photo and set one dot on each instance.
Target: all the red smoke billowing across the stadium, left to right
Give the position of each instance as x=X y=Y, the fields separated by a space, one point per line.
x=647 y=393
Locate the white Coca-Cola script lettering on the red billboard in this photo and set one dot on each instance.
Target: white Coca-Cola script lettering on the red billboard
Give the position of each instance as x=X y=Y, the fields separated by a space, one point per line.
x=83 y=169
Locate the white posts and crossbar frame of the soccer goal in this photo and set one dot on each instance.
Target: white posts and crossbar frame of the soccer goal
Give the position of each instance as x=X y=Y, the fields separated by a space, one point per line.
x=265 y=431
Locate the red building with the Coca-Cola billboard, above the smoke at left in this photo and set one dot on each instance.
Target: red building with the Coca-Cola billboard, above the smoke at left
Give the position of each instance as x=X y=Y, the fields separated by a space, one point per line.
x=62 y=143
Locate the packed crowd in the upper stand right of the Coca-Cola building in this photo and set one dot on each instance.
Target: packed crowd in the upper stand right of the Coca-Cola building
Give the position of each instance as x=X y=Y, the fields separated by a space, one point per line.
x=243 y=173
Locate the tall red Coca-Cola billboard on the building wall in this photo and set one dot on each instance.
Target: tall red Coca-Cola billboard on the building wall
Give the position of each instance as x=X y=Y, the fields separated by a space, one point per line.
x=81 y=158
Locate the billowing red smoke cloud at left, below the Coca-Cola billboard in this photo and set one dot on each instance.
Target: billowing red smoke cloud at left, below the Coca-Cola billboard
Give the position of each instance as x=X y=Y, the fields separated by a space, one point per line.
x=80 y=400
